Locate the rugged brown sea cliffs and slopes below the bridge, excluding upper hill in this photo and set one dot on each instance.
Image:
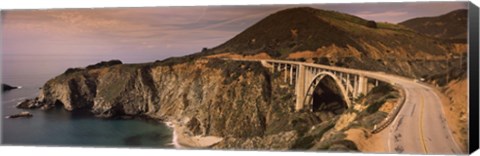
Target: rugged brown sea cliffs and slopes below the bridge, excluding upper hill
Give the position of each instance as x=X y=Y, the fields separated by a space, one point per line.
x=243 y=104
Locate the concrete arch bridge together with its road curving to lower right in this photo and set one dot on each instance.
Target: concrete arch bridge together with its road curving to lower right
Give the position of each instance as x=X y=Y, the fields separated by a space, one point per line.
x=419 y=118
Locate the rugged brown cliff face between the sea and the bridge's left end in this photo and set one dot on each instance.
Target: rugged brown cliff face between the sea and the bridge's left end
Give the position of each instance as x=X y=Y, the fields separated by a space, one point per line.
x=212 y=97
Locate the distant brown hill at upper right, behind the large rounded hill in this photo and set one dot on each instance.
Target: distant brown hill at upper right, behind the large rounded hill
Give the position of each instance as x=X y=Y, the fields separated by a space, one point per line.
x=452 y=25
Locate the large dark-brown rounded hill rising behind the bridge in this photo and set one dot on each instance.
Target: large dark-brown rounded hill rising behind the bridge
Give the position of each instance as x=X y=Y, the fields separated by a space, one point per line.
x=338 y=39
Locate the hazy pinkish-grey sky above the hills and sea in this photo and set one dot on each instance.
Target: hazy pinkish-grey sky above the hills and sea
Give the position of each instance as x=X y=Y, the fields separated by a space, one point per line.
x=155 y=33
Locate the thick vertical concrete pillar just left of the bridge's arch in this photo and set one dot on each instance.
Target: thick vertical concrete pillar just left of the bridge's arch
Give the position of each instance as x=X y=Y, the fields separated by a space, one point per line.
x=300 y=87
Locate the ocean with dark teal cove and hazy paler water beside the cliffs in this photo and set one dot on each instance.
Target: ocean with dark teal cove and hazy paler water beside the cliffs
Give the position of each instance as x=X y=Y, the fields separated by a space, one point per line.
x=62 y=128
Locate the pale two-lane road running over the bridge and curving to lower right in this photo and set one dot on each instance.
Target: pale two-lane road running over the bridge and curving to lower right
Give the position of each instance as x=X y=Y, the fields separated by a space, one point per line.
x=420 y=126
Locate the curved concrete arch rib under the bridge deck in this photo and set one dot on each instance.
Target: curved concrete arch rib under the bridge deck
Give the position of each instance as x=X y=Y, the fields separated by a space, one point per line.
x=316 y=80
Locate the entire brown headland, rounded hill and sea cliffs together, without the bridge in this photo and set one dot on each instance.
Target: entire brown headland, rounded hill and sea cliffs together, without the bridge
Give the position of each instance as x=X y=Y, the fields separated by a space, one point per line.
x=245 y=104
